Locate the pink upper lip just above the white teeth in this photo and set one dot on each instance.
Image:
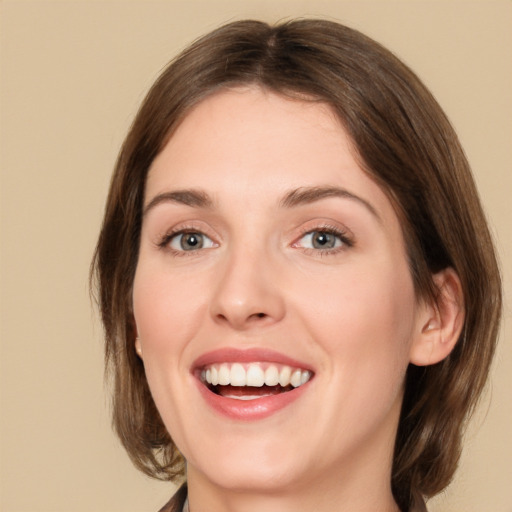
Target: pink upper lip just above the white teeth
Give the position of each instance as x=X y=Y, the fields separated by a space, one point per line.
x=249 y=355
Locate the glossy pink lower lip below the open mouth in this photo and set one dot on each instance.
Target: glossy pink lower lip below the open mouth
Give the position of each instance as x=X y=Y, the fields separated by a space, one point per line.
x=250 y=410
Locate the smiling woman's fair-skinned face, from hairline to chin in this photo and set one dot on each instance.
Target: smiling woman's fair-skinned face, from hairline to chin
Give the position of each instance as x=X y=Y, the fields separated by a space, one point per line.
x=271 y=263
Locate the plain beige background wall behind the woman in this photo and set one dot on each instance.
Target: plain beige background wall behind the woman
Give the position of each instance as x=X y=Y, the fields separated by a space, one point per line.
x=72 y=76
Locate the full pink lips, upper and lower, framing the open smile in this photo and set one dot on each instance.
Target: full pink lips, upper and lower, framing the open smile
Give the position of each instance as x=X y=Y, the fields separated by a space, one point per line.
x=247 y=410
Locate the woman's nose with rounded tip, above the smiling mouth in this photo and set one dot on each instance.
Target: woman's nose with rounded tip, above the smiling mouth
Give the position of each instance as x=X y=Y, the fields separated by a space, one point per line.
x=248 y=293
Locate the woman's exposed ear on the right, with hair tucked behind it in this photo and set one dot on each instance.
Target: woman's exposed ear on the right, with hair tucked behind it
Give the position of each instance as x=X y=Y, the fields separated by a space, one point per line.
x=439 y=324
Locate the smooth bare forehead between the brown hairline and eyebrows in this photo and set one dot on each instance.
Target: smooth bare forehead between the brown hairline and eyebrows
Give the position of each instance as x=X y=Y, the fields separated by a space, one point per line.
x=254 y=143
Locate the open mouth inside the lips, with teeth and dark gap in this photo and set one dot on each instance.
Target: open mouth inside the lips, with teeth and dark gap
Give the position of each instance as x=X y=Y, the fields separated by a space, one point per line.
x=250 y=381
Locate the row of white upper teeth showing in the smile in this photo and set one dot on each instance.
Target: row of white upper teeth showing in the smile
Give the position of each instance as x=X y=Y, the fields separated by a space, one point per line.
x=253 y=374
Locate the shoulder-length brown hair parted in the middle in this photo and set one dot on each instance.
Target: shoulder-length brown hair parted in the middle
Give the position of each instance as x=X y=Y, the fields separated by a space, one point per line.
x=403 y=140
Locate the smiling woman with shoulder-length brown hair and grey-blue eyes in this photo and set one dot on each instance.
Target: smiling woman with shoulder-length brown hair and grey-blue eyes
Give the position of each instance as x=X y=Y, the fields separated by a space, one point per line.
x=299 y=290
